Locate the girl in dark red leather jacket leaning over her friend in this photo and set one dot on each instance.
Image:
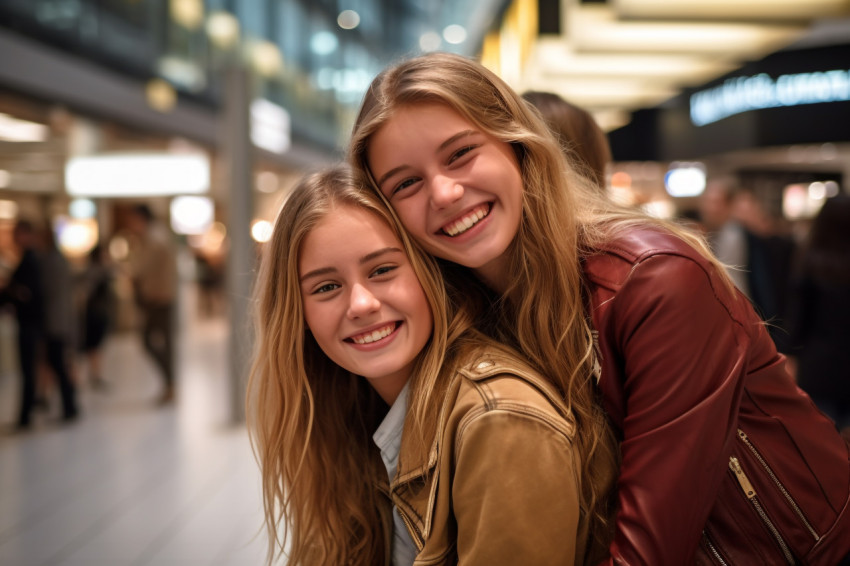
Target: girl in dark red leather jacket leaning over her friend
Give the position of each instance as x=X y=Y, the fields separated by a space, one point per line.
x=724 y=459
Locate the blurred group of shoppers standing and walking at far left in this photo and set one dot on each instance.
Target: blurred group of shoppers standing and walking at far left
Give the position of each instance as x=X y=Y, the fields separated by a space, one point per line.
x=64 y=312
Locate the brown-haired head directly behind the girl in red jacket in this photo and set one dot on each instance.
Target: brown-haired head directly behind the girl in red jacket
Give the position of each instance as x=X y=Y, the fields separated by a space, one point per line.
x=580 y=136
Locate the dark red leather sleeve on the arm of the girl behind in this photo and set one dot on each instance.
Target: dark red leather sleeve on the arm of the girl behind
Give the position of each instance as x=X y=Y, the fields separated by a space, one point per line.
x=682 y=354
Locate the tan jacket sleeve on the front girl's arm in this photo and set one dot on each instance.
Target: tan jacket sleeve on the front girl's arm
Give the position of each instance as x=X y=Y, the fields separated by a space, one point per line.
x=514 y=492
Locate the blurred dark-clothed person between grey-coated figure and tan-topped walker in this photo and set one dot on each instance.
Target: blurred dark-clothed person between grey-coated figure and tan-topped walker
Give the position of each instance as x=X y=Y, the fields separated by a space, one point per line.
x=95 y=316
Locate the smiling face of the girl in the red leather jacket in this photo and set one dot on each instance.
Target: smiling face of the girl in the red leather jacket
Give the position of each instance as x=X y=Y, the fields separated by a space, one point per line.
x=457 y=190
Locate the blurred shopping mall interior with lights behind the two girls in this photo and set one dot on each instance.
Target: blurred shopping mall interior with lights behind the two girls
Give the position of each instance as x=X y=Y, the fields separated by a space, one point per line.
x=208 y=111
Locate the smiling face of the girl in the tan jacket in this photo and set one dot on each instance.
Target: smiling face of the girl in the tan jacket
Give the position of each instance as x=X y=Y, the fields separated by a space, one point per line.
x=362 y=300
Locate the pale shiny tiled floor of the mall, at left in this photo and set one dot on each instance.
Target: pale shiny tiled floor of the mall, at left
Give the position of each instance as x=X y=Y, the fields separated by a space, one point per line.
x=131 y=483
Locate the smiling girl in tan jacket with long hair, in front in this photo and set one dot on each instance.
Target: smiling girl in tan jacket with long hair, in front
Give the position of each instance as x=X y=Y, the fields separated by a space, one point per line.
x=388 y=430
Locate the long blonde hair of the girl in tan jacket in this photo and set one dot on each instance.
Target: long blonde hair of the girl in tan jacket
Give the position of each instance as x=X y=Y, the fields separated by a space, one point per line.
x=310 y=421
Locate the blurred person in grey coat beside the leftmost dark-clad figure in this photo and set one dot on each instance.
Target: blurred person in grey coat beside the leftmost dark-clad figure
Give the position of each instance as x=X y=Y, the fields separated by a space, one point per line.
x=59 y=321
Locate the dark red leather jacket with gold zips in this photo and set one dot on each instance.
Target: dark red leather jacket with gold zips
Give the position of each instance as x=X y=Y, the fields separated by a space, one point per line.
x=725 y=459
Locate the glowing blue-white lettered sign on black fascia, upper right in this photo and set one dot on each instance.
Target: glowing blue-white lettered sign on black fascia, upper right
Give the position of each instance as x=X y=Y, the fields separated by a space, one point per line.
x=742 y=94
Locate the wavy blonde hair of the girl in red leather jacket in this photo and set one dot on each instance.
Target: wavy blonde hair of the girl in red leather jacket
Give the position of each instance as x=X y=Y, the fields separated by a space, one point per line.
x=565 y=219
